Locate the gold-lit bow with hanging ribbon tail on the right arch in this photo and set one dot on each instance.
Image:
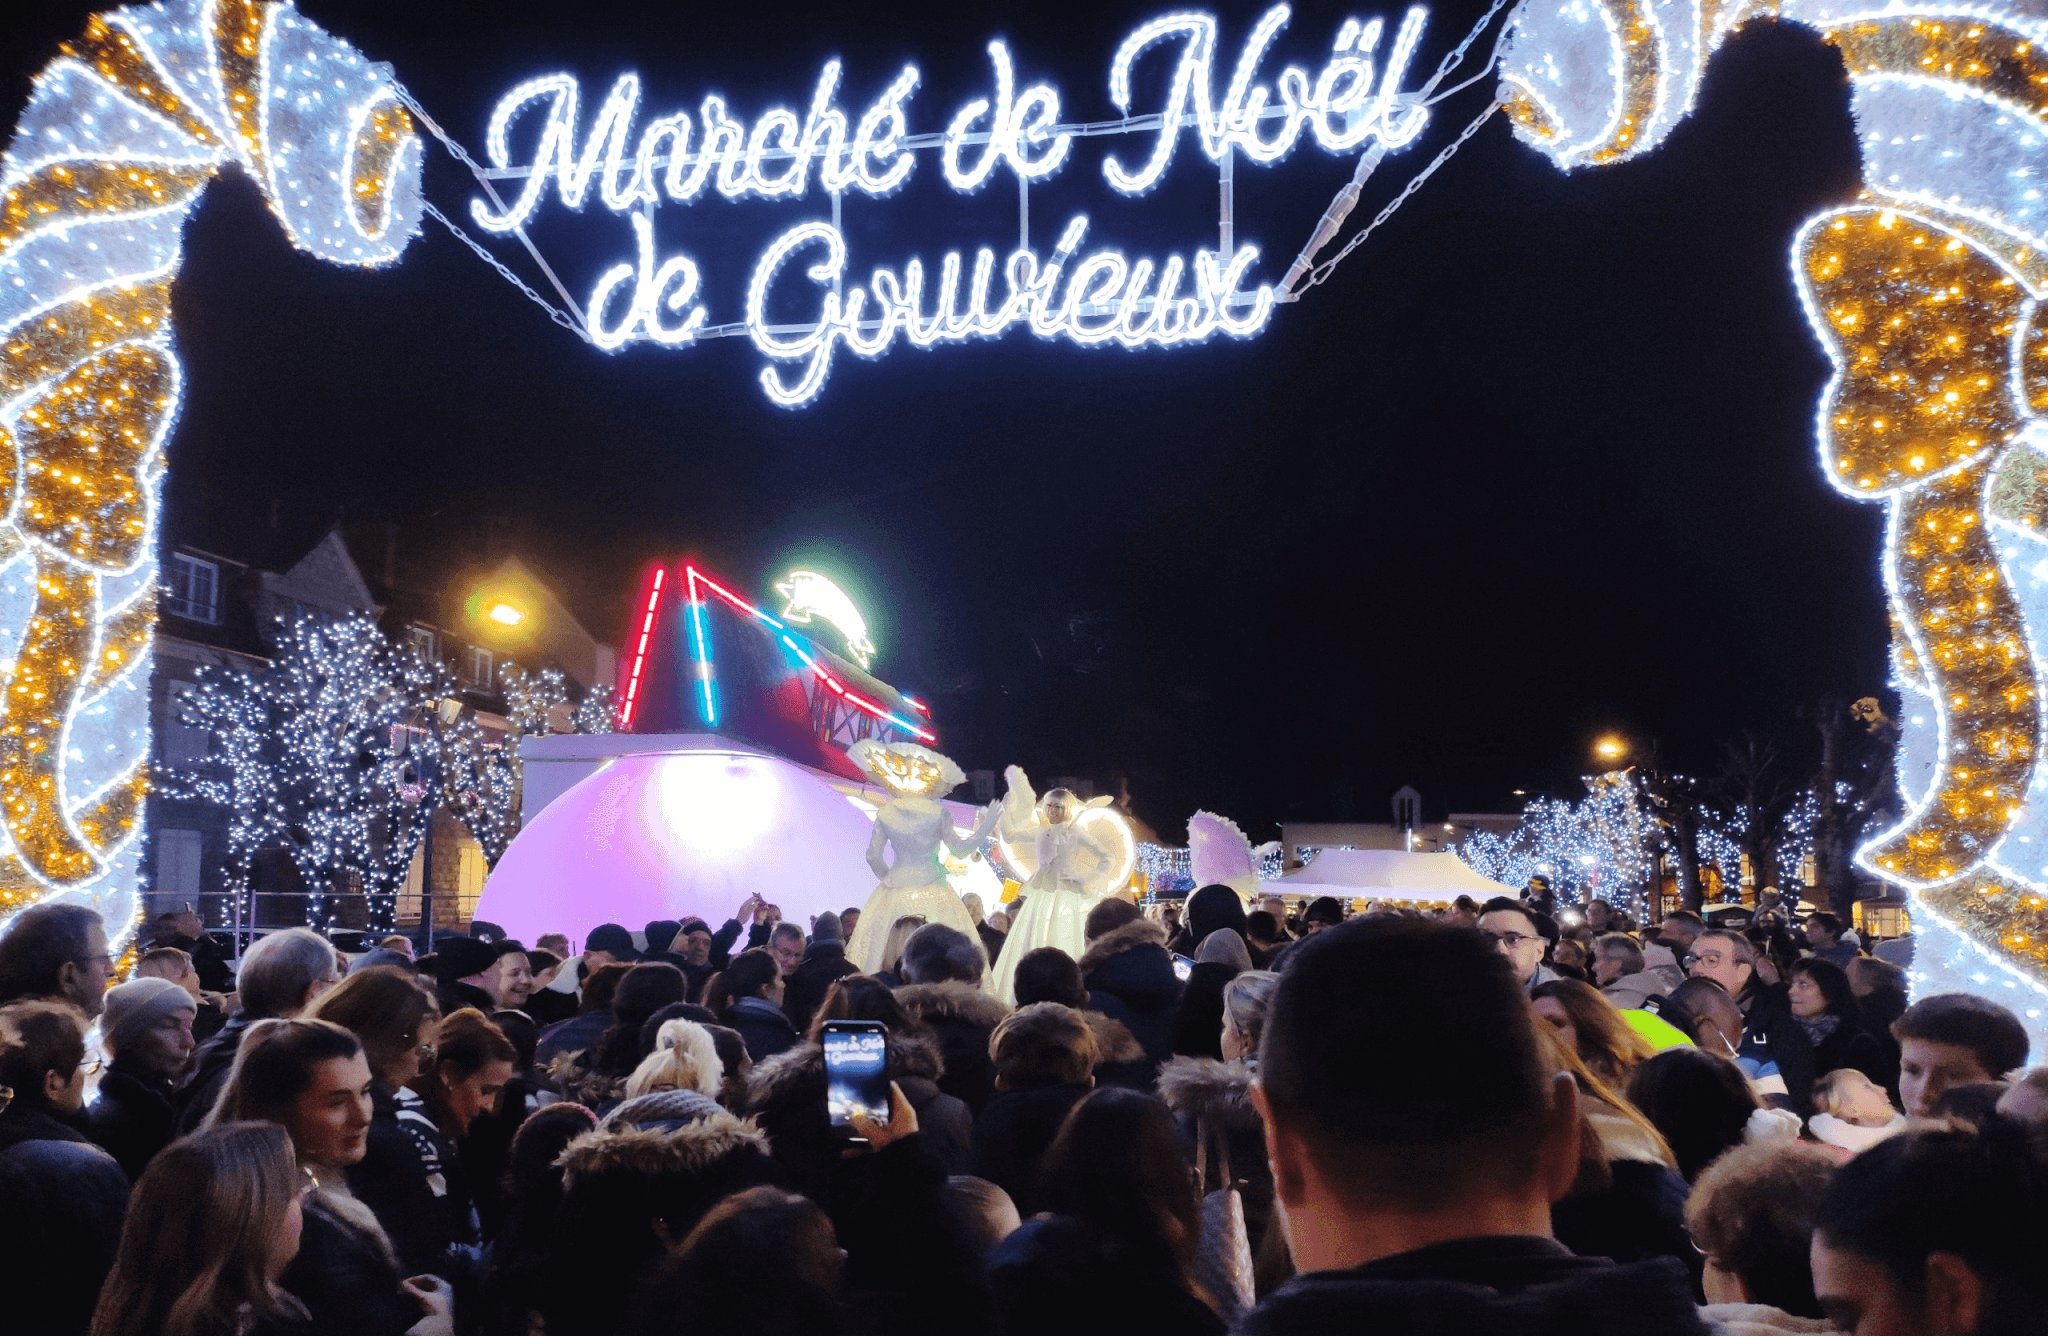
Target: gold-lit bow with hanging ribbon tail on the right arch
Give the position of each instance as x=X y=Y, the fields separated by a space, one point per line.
x=1943 y=366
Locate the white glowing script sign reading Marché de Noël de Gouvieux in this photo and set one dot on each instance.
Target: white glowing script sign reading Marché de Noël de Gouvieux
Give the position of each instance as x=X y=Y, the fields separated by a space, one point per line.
x=1351 y=103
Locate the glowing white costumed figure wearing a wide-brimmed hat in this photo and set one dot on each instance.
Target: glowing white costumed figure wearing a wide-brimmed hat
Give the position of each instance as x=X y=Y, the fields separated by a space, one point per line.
x=914 y=825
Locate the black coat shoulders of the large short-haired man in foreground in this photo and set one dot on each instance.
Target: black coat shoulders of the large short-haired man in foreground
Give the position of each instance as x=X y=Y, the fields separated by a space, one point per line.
x=1484 y=1288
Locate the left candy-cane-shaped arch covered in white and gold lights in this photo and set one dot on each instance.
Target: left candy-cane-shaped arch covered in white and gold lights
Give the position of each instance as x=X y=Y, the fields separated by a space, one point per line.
x=120 y=138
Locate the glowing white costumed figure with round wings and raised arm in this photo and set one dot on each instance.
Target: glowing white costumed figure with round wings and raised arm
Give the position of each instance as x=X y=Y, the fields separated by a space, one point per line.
x=1072 y=855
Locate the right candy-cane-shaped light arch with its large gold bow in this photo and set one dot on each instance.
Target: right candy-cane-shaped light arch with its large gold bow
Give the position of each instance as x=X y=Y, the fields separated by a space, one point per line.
x=1928 y=296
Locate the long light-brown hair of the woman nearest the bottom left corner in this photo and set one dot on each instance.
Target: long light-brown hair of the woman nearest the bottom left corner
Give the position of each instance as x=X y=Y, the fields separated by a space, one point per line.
x=202 y=1237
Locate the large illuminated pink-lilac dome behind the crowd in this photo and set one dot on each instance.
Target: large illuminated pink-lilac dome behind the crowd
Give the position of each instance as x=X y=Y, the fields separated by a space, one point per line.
x=669 y=835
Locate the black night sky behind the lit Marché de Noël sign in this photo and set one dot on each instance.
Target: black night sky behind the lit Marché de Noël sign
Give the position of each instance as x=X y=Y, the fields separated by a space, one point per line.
x=1537 y=462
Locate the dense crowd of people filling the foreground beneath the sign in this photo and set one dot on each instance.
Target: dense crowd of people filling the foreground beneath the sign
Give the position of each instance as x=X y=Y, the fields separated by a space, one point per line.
x=1498 y=1118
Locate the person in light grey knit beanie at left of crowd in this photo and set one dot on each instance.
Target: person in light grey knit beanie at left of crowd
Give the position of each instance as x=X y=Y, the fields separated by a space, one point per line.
x=148 y=1032
